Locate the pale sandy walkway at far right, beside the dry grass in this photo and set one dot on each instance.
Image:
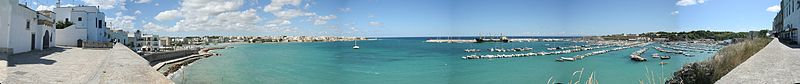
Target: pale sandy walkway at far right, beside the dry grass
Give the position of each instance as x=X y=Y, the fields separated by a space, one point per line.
x=775 y=64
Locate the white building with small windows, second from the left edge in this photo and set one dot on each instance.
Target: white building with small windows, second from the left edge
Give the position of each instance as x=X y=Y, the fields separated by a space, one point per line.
x=88 y=25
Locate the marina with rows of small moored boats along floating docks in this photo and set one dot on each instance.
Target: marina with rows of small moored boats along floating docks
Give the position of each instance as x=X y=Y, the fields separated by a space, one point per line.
x=604 y=47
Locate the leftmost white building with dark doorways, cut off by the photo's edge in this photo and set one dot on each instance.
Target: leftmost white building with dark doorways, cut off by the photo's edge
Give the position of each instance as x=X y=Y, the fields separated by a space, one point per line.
x=23 y=29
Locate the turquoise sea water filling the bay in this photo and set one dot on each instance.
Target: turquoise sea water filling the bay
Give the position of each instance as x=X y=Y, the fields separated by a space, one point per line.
x=411 y=61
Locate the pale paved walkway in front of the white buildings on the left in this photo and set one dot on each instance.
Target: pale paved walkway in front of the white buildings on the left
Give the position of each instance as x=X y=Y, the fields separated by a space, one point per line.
x=65 y=65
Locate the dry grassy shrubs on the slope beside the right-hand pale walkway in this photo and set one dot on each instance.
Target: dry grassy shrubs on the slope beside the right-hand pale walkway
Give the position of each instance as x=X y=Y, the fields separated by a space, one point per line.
x=733 y=55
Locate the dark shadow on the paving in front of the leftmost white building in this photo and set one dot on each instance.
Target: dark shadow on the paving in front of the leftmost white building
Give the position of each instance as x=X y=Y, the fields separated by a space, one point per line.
x=34 y=57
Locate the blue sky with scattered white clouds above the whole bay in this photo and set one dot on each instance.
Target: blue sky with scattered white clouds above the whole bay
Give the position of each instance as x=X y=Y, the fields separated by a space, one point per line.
x=408 y=18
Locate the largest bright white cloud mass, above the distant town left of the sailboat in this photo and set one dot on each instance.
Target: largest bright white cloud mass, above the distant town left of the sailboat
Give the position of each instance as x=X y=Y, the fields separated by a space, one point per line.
x=224 y=15
